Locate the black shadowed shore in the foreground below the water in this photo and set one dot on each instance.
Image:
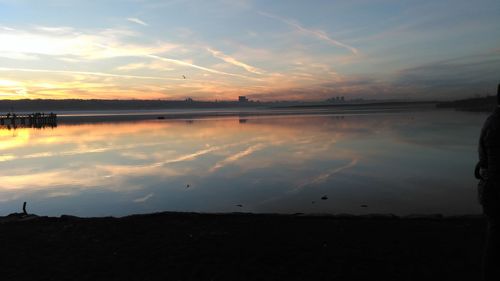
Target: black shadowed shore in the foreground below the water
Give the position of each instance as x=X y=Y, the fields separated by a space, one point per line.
x=189 y=246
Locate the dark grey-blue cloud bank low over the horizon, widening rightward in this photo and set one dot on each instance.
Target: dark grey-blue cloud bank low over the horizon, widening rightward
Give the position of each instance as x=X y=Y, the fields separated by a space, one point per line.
x=458 y=77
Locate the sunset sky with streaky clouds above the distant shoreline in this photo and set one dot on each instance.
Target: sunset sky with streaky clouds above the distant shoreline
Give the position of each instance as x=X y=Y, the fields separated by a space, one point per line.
x=265 y=50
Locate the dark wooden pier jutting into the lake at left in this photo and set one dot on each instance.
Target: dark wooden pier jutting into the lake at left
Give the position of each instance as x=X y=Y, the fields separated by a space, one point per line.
x=33 y=120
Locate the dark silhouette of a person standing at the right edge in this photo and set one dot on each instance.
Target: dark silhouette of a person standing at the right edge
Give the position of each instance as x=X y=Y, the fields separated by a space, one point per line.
x=488 y=172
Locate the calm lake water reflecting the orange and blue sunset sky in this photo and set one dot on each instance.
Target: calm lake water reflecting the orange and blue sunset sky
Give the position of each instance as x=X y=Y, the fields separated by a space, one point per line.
x=402 y=163
